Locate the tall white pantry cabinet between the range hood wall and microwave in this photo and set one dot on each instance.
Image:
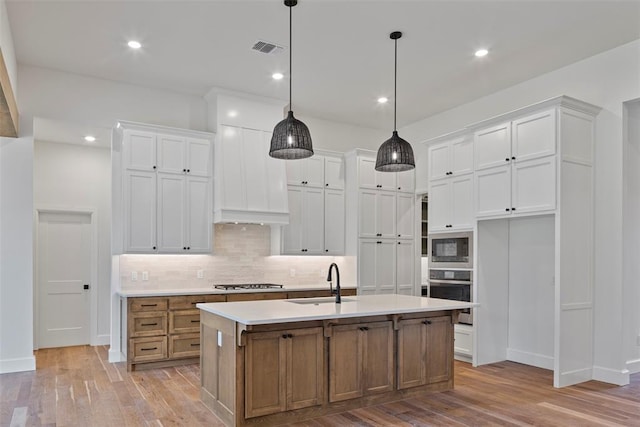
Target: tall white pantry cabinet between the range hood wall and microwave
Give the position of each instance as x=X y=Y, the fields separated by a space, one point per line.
x=380 y=225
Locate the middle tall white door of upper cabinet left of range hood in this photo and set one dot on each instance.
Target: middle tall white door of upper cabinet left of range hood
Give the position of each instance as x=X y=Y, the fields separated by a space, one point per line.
x=171 y=213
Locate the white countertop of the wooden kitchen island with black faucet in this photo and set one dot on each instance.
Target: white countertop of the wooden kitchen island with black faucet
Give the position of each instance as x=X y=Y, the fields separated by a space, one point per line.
x=306 y=309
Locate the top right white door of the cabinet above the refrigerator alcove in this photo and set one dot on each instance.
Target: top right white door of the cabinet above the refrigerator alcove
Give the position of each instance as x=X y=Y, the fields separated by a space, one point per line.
x=534 y=136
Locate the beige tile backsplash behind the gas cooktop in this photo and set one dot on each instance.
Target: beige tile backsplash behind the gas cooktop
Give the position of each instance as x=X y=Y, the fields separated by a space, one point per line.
x=242 y=255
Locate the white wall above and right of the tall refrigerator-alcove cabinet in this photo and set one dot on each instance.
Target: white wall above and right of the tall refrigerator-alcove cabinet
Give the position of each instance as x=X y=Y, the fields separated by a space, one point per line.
x=606 y=80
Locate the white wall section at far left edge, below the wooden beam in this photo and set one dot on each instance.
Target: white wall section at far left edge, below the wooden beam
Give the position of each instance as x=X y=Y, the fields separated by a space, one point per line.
x=16 y=225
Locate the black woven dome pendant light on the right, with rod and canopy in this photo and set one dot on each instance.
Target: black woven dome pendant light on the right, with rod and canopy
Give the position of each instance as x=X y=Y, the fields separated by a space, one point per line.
x=395 y=154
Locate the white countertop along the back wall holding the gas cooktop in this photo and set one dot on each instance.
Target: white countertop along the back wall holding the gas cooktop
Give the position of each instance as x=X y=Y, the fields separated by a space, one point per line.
x=130 y=293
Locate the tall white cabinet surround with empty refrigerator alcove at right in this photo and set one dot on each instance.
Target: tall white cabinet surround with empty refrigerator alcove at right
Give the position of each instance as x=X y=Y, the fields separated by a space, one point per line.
x=533 y=204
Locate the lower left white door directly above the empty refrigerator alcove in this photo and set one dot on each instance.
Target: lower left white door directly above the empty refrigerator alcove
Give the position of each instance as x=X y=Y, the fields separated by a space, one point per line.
x=493 y=191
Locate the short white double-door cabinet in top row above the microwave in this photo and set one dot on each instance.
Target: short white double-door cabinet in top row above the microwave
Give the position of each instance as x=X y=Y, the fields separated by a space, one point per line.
x=451 y=158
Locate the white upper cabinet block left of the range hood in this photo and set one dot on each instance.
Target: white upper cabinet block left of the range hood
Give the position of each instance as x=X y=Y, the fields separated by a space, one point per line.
x=162 y=189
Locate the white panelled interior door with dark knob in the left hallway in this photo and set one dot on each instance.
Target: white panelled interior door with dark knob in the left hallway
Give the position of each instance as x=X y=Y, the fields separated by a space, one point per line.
x=64 y=270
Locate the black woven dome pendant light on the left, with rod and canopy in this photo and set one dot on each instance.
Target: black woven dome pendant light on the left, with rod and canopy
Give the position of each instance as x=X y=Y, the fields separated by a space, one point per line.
x=291 y=138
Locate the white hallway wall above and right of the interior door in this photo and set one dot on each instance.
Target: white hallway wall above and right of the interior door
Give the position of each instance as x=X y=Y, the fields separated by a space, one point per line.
x=73 y=176
